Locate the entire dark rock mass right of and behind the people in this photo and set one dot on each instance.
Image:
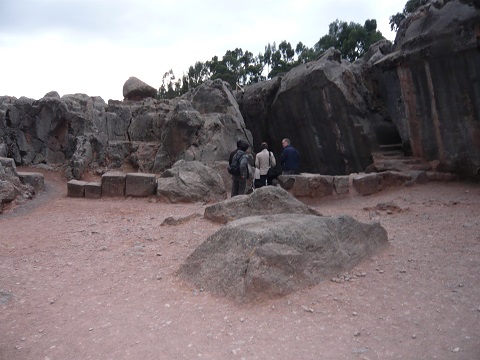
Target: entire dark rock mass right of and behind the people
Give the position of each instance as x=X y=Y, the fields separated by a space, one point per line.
x=422 y=94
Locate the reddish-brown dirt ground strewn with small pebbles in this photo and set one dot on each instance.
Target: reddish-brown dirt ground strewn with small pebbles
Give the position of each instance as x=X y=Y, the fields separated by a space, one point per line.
x=95 y=279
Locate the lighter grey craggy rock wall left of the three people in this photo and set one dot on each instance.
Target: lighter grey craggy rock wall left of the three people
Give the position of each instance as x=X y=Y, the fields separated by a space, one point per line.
x=81 y=133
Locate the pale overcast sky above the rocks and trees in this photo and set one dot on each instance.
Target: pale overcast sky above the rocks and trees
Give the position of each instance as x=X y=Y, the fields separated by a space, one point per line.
x=94 y=46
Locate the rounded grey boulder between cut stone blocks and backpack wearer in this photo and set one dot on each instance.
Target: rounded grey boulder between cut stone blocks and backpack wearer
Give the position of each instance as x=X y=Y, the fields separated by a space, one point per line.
x=190 y=181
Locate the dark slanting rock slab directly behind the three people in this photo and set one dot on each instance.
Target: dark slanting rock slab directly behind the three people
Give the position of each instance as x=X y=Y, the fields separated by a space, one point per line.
x=326 y=108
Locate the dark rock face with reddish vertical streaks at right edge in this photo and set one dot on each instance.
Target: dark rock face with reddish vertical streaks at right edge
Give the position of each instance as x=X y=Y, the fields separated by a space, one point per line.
x=430 y=85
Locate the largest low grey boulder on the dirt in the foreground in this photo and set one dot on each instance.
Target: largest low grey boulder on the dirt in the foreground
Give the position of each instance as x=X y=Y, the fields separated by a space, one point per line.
x=264 y=256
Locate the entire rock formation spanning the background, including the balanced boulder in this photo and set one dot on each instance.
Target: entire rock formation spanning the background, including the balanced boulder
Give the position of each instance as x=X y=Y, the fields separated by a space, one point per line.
x=419 y=95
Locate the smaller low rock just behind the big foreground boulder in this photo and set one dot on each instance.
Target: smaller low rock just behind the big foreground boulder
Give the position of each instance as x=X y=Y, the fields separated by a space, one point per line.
x=267 y=200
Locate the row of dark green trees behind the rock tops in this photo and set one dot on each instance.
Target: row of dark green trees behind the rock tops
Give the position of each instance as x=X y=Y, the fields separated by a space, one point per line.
x=240 y=68
